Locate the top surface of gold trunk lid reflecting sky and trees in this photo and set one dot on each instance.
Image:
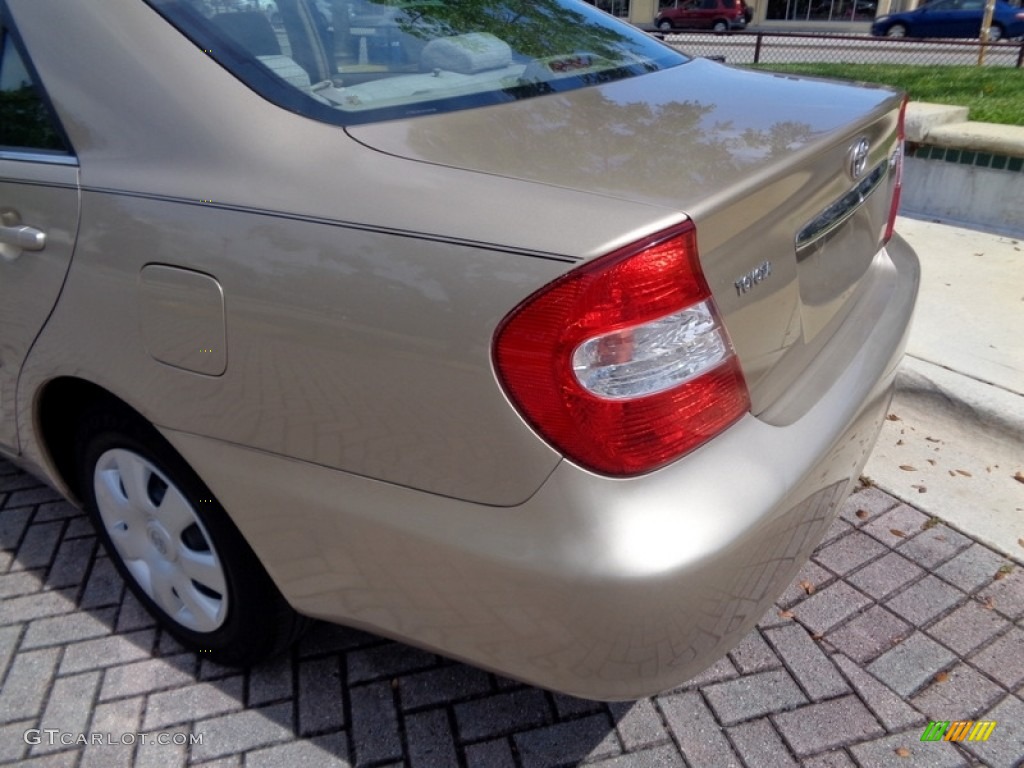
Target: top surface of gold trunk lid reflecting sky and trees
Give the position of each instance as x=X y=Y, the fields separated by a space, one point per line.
x=664 y=138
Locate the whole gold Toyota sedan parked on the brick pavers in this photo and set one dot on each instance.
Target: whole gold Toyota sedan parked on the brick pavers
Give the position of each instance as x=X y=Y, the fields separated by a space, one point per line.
x=502 y=329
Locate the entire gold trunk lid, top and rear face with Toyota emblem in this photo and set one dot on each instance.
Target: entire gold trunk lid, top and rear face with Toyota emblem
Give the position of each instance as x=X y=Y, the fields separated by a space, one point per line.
x=787 y=180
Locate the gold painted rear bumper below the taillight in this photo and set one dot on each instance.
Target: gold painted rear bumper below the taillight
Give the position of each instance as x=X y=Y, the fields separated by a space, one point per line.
x=601 y=588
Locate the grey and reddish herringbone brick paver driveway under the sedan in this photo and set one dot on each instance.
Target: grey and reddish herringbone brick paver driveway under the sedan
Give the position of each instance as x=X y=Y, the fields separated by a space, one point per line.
x=898 y=621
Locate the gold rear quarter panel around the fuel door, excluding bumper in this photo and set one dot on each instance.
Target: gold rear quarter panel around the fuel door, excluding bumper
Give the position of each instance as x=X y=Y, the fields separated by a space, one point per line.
x=361 y=290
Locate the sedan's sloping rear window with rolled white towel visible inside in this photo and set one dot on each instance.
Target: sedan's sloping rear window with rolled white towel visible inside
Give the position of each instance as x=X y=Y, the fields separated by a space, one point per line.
x=356 y=62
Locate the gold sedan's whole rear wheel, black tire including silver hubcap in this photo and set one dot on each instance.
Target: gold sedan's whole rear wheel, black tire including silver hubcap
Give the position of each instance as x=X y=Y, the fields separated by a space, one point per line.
x=175 y=545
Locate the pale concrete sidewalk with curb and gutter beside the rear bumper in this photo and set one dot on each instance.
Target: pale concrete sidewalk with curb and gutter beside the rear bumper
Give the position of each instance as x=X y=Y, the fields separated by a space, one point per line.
x=955 y=443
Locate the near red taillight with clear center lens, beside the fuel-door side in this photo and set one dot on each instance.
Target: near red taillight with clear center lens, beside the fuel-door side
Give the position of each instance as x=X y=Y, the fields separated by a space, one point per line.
x=623 y=365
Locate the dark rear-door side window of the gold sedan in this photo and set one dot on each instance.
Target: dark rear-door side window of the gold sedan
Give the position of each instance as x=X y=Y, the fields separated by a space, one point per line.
x=25 y=119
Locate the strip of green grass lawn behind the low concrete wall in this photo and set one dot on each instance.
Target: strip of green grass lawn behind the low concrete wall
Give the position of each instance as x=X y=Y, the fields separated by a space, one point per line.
x=995 y=95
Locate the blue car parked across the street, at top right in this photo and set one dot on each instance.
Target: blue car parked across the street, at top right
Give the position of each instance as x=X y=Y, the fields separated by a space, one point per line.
x=953 y=19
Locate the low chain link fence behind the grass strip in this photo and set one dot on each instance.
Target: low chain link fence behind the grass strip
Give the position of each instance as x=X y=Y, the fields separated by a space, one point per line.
x=785 y=48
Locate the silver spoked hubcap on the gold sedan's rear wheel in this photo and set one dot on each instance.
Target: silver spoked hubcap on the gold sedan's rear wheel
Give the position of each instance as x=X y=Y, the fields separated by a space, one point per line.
x=161 y=540
